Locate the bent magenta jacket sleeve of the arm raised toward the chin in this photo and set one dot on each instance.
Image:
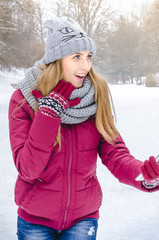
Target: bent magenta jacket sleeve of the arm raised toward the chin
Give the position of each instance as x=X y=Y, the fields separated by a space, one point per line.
x=31 y=141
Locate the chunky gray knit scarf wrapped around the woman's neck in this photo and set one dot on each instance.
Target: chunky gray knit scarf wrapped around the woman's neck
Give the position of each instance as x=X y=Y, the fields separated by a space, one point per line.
x=77 y=114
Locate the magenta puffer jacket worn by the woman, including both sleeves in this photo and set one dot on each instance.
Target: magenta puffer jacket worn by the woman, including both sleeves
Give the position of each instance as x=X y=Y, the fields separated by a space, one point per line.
x=59 y=188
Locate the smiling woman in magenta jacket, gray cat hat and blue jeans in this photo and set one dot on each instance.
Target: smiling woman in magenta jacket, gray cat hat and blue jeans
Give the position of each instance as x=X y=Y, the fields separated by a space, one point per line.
x=60 y=118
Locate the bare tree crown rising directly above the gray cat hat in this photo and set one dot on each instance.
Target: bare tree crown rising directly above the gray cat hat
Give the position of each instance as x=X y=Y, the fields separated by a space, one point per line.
x=90 y=14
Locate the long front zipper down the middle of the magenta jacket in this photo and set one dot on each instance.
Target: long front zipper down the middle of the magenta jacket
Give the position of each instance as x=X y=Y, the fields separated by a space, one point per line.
x=69 y=181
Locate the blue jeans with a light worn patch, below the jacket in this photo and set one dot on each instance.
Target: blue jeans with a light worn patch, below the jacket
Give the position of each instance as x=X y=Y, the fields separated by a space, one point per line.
x=83 y=230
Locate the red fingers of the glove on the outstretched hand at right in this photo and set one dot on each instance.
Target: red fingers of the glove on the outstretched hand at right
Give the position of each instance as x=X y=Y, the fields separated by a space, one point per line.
x=150 y=170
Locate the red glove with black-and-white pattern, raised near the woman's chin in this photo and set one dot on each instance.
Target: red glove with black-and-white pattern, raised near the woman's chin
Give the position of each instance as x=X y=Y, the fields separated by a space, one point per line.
x=58 y=100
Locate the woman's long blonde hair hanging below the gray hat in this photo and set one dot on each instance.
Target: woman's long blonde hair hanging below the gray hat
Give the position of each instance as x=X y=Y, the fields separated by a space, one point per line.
x=53 y=73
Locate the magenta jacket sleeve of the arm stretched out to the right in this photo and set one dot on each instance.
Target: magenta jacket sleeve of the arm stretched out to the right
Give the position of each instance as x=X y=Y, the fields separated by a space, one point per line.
x=121 y=163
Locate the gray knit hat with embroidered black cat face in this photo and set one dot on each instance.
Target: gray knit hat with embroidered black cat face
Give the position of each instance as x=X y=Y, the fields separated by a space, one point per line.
x=65 y=37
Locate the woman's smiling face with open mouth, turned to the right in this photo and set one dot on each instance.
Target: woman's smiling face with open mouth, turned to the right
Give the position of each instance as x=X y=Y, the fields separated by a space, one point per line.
x=76 y=67
